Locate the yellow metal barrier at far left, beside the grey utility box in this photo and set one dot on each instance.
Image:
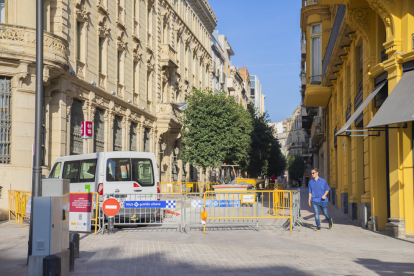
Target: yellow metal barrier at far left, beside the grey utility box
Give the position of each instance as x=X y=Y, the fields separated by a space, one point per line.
x=18 y=201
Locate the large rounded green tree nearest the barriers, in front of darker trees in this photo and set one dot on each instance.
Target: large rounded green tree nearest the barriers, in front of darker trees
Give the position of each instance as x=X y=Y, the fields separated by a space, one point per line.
x=215 y=130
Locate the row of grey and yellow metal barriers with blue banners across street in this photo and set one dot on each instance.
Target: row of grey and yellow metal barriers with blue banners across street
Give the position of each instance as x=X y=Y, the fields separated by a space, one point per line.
x=184 y=210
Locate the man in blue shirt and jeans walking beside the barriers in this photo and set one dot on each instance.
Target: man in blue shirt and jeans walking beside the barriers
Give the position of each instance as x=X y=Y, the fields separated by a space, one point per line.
x=318 y=191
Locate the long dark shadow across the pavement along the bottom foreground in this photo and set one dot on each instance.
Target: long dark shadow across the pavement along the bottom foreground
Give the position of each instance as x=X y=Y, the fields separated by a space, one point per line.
x=161 y=264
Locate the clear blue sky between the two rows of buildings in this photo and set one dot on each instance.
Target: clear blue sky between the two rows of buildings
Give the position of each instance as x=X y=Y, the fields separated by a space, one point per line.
x=265 y=37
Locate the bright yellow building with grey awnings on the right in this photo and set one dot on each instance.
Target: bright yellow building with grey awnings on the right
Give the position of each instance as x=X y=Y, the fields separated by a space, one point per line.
x=360 y=70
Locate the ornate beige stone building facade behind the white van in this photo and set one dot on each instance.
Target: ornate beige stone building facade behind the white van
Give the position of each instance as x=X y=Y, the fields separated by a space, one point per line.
x=124 y=65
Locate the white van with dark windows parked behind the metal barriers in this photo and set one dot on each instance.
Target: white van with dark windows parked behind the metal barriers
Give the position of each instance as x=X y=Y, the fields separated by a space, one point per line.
x=119 y=173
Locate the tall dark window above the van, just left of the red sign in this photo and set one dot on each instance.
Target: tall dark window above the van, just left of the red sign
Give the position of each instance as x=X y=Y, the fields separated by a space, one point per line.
x=76 y=118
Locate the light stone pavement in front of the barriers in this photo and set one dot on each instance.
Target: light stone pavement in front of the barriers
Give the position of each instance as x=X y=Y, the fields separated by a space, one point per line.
x=345 y=250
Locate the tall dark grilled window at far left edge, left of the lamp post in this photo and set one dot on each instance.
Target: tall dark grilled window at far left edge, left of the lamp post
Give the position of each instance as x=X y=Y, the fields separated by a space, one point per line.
x=5 y=121
